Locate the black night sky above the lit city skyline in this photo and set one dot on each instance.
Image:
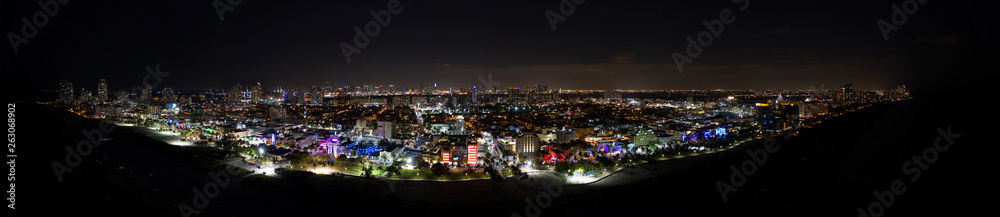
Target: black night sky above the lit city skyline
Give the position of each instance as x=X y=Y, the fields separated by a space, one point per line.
x=601 y=45
